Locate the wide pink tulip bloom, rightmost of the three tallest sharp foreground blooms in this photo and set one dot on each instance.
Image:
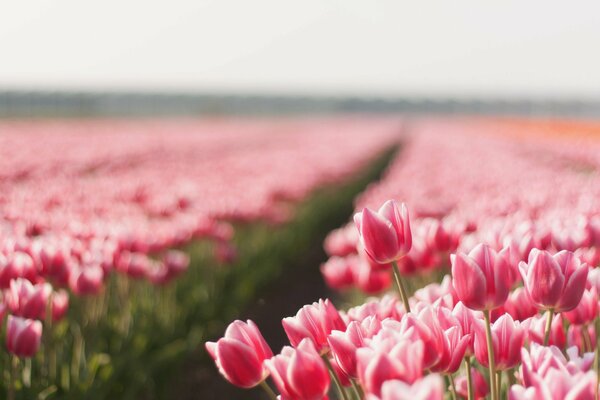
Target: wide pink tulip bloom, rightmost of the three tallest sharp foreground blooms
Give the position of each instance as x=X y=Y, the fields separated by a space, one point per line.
x=554 y=282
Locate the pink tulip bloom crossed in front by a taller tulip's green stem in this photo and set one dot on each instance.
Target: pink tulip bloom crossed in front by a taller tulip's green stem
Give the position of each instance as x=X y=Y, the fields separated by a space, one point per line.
x=507 y=339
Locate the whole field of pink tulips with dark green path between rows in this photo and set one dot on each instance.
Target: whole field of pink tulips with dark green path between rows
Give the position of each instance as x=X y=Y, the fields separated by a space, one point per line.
x=468 y=269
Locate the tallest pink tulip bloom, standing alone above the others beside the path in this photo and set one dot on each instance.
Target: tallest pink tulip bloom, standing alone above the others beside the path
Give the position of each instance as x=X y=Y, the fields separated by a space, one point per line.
x=385 y=234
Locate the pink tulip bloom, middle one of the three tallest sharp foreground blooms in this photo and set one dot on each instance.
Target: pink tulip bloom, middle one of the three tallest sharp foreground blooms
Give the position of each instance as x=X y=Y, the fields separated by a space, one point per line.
x=481 y=278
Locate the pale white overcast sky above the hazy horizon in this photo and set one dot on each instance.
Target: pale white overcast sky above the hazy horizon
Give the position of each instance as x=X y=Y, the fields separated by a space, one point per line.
x=425 y=48
